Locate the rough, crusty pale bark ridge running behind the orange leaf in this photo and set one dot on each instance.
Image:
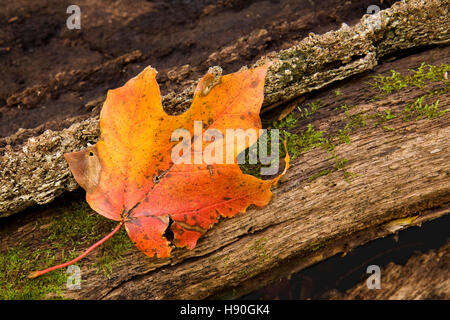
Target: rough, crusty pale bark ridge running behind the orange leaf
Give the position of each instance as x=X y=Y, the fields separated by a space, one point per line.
x=35 y=172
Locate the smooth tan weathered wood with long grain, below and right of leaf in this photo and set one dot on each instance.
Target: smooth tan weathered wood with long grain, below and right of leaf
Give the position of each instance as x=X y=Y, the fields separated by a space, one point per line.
x=400 y=173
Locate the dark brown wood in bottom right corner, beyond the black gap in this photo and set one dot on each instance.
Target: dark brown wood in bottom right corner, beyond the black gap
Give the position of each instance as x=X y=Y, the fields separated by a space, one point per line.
x=425 y=276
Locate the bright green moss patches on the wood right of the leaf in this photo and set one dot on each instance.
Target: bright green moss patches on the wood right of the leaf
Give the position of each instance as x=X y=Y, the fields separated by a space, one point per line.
x=304 y=141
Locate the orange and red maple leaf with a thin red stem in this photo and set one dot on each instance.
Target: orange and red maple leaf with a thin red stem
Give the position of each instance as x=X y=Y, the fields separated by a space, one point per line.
x=130 y=175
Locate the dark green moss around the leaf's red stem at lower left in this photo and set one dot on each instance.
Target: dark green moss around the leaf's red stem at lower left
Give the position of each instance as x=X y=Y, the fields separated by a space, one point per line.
x=67 y=235
